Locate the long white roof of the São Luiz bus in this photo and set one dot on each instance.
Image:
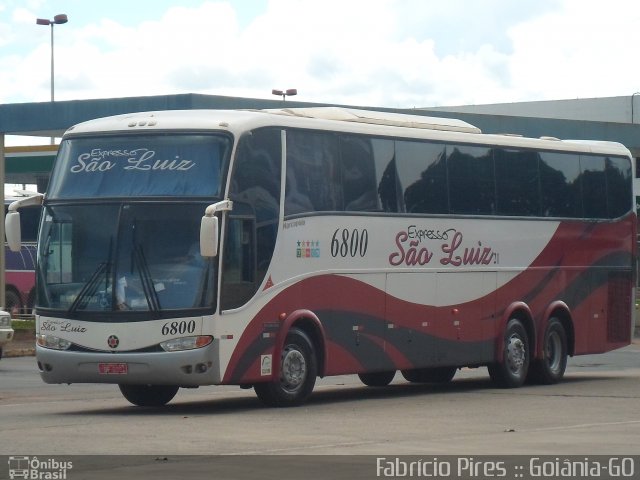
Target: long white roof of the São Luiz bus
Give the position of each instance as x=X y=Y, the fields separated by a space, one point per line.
x=348 y=120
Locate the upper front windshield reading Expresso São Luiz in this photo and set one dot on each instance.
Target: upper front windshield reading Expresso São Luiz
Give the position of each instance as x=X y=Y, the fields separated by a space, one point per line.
x=175 y=165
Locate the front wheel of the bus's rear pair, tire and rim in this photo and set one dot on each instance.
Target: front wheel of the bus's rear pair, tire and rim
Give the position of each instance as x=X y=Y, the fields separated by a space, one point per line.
x=511 y=371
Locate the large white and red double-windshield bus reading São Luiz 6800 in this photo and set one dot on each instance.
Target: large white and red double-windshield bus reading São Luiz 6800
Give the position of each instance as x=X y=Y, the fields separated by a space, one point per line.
x=267 y=248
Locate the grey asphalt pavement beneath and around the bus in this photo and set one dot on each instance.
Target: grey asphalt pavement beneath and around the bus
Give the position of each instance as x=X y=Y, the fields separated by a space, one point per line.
x=595 y=410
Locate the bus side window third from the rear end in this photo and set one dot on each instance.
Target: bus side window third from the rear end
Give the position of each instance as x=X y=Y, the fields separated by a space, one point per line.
x=560 y=191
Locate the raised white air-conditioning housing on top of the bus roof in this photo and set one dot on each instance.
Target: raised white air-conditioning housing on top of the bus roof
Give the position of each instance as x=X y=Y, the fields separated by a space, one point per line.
x=379 y=118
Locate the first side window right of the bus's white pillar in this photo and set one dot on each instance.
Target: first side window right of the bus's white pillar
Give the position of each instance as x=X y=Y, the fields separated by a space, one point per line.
x=313 y=176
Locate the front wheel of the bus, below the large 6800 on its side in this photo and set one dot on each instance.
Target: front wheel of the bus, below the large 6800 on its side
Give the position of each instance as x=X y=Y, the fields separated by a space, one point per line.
x=298 y=371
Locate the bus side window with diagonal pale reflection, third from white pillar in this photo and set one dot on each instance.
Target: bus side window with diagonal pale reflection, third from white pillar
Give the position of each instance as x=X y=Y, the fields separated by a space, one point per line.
x=423 y=176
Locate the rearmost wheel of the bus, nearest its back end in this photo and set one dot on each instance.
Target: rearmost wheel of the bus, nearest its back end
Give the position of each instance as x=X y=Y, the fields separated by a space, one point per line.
x=551 y=367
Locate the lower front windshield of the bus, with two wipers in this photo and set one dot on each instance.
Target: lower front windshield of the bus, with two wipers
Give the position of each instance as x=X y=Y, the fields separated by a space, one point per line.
x=120 y=257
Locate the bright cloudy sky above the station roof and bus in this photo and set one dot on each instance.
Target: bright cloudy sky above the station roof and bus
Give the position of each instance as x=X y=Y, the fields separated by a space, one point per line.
x=390 y=53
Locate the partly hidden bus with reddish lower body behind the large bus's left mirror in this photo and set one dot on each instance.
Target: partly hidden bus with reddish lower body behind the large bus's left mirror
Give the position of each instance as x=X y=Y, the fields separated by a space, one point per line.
x=20 y=266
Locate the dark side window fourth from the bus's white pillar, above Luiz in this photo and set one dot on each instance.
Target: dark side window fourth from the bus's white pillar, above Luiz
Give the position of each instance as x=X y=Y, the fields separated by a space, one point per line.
x=471 y=180
